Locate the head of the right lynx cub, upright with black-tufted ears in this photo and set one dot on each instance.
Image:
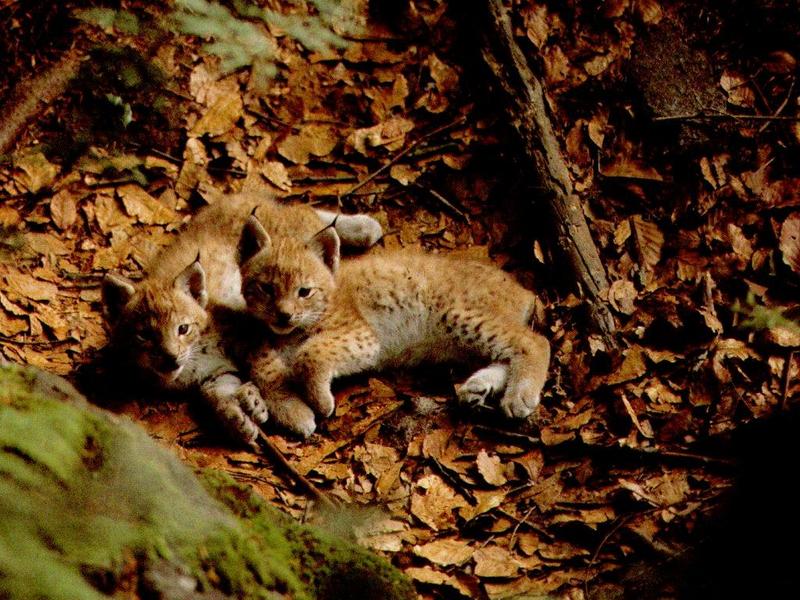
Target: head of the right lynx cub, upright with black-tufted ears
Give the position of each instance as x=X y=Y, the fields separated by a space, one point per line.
x=287 y=283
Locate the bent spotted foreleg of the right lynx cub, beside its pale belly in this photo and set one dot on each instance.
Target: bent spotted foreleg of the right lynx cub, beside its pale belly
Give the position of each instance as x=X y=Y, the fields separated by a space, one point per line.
x=337 y=352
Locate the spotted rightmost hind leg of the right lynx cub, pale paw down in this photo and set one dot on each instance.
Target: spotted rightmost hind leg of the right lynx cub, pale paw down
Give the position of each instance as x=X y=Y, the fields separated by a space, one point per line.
x=527 y=374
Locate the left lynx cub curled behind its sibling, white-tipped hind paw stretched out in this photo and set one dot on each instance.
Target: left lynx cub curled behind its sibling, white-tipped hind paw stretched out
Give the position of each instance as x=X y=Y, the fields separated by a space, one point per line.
x=173 y=322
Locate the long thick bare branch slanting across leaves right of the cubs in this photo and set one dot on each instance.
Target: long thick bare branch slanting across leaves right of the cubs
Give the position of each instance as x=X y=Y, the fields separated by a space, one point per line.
x=528 y=114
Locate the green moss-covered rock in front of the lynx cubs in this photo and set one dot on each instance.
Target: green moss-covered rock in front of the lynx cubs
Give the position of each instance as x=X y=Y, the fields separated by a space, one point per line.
x=90 y=507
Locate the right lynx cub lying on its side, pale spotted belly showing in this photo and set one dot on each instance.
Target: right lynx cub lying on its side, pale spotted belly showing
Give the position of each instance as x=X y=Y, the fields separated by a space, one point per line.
x=384 y=310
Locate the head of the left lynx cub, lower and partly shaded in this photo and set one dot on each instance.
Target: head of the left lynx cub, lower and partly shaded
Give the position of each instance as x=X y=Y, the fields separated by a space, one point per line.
x=158 y=323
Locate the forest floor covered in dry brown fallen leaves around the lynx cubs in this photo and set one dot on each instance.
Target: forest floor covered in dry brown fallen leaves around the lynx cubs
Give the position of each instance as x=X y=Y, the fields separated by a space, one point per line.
x=693 y=211
